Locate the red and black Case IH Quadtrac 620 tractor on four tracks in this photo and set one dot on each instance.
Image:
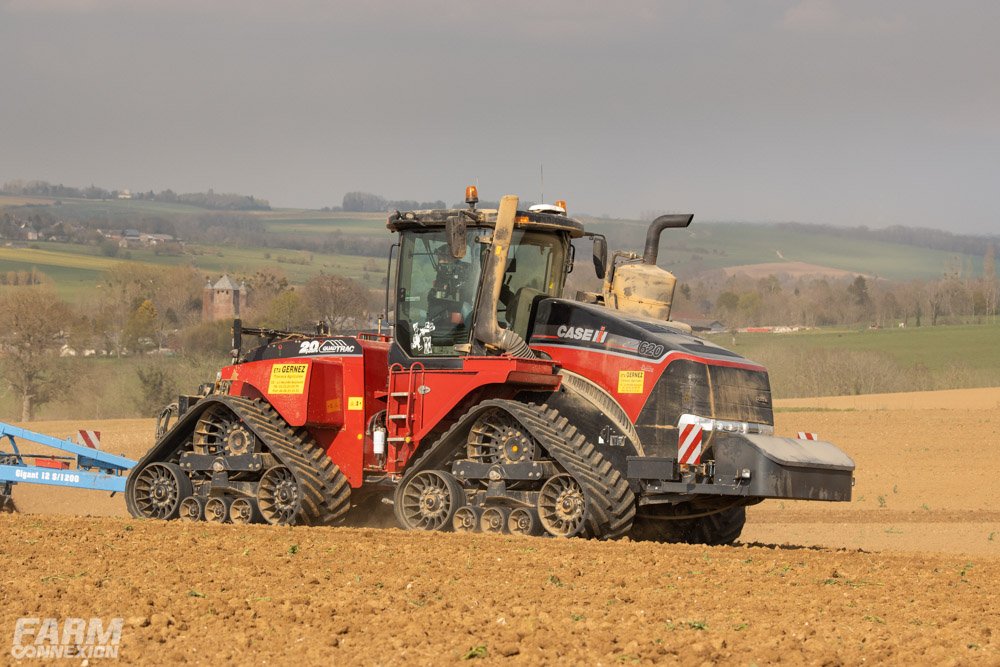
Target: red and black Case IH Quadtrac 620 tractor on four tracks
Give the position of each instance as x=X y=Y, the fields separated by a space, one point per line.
x=495 y=404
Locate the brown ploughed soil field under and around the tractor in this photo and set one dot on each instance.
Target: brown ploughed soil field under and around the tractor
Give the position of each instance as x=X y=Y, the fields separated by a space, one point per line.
x=908 y=572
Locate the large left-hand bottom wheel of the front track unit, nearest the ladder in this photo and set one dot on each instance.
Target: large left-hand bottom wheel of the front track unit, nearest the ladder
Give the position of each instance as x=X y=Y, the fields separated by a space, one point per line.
x=429 y=500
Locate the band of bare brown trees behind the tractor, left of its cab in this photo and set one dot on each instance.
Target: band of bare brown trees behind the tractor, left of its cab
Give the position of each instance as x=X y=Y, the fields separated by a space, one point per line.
x=146 y=312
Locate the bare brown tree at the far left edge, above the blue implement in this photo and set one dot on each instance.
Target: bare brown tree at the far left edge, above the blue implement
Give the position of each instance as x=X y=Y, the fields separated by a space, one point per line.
x=31 y=323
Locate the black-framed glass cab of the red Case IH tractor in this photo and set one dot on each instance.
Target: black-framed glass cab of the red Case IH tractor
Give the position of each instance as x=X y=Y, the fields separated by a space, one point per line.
x=445 y=261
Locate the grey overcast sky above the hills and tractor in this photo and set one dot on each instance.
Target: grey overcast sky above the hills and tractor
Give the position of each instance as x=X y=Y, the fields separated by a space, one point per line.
x=873 y=113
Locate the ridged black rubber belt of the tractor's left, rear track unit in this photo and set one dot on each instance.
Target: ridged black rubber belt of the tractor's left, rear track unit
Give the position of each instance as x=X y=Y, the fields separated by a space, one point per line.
x=325 y=494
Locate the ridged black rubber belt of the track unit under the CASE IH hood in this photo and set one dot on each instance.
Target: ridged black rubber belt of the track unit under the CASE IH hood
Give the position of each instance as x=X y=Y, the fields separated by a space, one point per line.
x=610 y=502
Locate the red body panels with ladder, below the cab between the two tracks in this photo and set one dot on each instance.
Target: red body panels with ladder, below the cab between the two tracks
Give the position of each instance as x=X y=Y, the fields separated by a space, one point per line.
x=335 y=397
